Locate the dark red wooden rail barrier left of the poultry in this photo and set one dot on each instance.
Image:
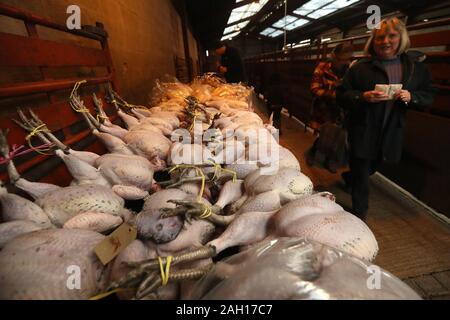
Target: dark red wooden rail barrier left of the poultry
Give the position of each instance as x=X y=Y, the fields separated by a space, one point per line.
x=28 y=52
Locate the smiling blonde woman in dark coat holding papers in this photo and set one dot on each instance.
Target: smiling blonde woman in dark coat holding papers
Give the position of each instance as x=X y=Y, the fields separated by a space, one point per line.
x=376 y=121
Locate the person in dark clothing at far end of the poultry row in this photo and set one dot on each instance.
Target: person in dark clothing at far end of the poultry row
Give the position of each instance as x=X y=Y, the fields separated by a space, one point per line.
x=231 y=65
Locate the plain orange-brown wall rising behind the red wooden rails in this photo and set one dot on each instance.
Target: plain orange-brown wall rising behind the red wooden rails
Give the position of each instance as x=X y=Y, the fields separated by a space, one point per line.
x=145 y=36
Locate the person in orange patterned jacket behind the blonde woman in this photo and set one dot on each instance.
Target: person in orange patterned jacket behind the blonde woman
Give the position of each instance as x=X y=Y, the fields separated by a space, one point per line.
x=326 y=77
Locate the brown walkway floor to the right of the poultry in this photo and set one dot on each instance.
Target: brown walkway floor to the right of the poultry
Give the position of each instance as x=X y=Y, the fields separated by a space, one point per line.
x=414 y=245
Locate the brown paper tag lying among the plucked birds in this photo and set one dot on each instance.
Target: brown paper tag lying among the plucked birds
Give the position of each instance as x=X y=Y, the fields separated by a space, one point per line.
x=115 y=243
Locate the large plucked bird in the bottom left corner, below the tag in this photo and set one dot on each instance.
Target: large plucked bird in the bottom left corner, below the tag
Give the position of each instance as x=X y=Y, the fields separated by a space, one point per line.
x=39 y=265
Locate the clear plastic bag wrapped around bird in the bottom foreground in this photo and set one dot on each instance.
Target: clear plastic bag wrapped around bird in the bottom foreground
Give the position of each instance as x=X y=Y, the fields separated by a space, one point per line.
x=293 y=268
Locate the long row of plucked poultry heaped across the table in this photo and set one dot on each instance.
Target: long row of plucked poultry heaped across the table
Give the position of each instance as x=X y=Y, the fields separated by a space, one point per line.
x=221 y=194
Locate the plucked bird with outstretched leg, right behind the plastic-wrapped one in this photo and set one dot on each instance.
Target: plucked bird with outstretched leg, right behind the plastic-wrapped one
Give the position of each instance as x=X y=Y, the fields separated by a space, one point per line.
x=251 y=227
